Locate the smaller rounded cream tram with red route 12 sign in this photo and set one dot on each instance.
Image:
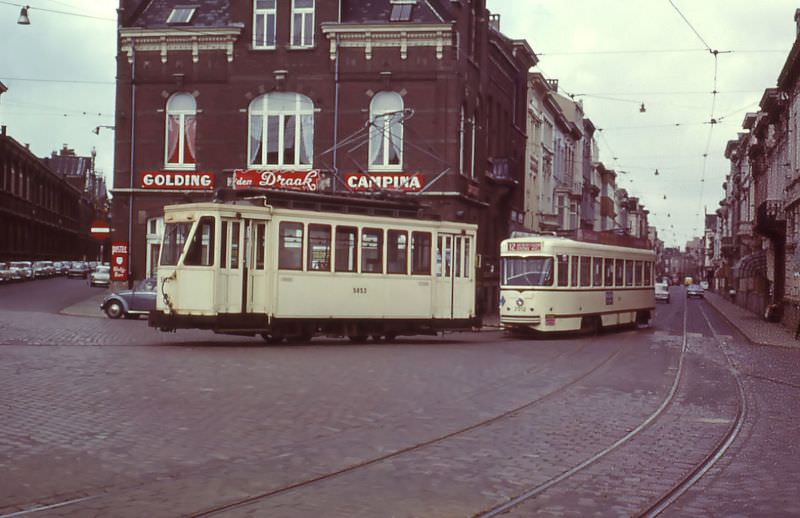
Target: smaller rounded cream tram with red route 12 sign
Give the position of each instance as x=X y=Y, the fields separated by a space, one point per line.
x=551 y=283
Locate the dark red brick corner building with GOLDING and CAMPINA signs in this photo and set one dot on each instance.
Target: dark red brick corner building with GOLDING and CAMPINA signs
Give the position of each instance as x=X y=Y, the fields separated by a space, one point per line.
x=390 y=89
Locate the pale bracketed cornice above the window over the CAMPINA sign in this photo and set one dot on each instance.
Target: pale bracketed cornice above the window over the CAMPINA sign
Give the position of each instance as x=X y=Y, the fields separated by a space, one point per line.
x=403 y=36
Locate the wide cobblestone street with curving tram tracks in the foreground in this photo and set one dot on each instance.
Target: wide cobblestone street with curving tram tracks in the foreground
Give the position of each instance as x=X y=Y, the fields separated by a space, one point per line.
x=109 y=417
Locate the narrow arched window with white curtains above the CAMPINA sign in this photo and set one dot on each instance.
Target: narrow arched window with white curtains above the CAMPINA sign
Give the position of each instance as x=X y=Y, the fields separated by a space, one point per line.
x=386 y=132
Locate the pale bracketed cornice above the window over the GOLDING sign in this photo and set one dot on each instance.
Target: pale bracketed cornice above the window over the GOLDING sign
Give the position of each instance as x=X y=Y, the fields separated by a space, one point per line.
x=164 y=41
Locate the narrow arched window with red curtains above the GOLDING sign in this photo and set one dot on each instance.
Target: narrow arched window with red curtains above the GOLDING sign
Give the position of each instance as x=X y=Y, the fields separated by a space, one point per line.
x=181 y=131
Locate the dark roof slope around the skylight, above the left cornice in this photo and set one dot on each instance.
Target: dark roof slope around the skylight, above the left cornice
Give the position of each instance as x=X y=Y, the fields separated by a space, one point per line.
x=208 y=13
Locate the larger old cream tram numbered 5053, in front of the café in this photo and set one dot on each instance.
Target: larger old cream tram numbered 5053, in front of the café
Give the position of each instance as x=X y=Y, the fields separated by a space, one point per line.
x=249 y=268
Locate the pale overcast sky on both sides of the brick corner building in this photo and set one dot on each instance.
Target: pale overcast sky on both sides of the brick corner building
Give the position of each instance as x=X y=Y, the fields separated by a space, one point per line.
x=614 y=55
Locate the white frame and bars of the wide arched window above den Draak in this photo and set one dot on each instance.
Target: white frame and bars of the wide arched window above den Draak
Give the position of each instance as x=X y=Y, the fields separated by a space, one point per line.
x=303 y=106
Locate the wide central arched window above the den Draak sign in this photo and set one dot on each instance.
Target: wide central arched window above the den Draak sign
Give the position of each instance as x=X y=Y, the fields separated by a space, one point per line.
x=281 y=131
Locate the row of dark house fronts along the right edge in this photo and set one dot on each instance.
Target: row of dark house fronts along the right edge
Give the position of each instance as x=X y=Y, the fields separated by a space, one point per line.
x=751 y=242
